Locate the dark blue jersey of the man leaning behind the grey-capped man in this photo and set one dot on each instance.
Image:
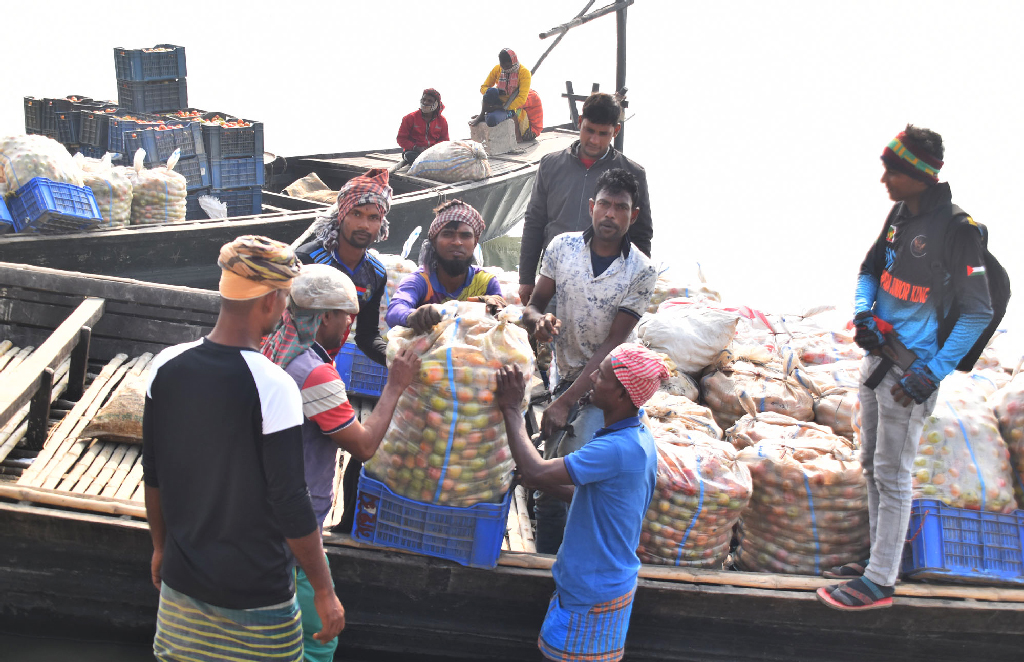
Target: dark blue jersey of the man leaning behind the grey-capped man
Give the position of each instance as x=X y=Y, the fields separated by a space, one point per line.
x=370 y=278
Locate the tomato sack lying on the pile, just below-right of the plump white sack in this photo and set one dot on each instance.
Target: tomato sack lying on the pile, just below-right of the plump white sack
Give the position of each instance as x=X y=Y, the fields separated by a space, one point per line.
x=734 y=390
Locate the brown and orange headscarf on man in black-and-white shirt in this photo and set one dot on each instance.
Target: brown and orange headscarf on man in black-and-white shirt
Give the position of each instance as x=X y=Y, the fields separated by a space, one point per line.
x=252 y=267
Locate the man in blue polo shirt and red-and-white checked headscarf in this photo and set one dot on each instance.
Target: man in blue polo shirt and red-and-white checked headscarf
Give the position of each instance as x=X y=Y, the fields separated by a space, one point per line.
x=610 y=483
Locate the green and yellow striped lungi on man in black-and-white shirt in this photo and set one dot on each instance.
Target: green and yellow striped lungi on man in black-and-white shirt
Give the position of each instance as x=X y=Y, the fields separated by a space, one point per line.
x=189 y=631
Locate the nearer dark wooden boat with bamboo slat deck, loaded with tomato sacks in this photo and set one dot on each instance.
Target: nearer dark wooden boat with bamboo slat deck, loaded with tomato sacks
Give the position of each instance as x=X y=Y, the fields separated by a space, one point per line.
x=81 y=562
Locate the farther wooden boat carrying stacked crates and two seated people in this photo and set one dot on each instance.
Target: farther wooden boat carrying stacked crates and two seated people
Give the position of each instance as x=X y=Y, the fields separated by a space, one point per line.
x=186 y=254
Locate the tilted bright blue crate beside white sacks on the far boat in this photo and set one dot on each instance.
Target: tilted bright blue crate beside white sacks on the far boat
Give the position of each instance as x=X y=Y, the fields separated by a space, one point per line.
x=48 y=206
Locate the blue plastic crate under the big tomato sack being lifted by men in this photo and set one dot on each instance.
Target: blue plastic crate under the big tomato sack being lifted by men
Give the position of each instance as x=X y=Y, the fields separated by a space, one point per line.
x=470 y=536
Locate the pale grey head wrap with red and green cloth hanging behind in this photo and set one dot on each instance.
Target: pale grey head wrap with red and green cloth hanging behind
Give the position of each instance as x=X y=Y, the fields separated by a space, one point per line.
x=318 y=289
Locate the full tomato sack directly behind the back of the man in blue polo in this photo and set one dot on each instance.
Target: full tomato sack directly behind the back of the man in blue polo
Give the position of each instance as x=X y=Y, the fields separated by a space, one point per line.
x=702 y=490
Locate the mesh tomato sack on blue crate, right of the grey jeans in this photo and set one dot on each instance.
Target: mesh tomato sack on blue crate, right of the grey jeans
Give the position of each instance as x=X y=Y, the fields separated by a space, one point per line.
x=962 y=458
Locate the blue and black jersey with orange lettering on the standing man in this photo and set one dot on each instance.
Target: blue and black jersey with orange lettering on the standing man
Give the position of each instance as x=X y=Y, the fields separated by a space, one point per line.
x=920 y=260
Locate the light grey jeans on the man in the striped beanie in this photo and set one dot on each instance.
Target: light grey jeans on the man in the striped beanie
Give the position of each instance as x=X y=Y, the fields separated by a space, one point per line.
x=889 y=438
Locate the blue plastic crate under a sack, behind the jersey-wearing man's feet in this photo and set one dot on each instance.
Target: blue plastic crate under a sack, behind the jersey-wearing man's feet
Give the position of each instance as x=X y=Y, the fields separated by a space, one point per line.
x=957 y=545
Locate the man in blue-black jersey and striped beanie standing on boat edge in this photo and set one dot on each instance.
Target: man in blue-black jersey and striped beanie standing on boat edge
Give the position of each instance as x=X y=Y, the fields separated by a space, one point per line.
x=929 y=257
